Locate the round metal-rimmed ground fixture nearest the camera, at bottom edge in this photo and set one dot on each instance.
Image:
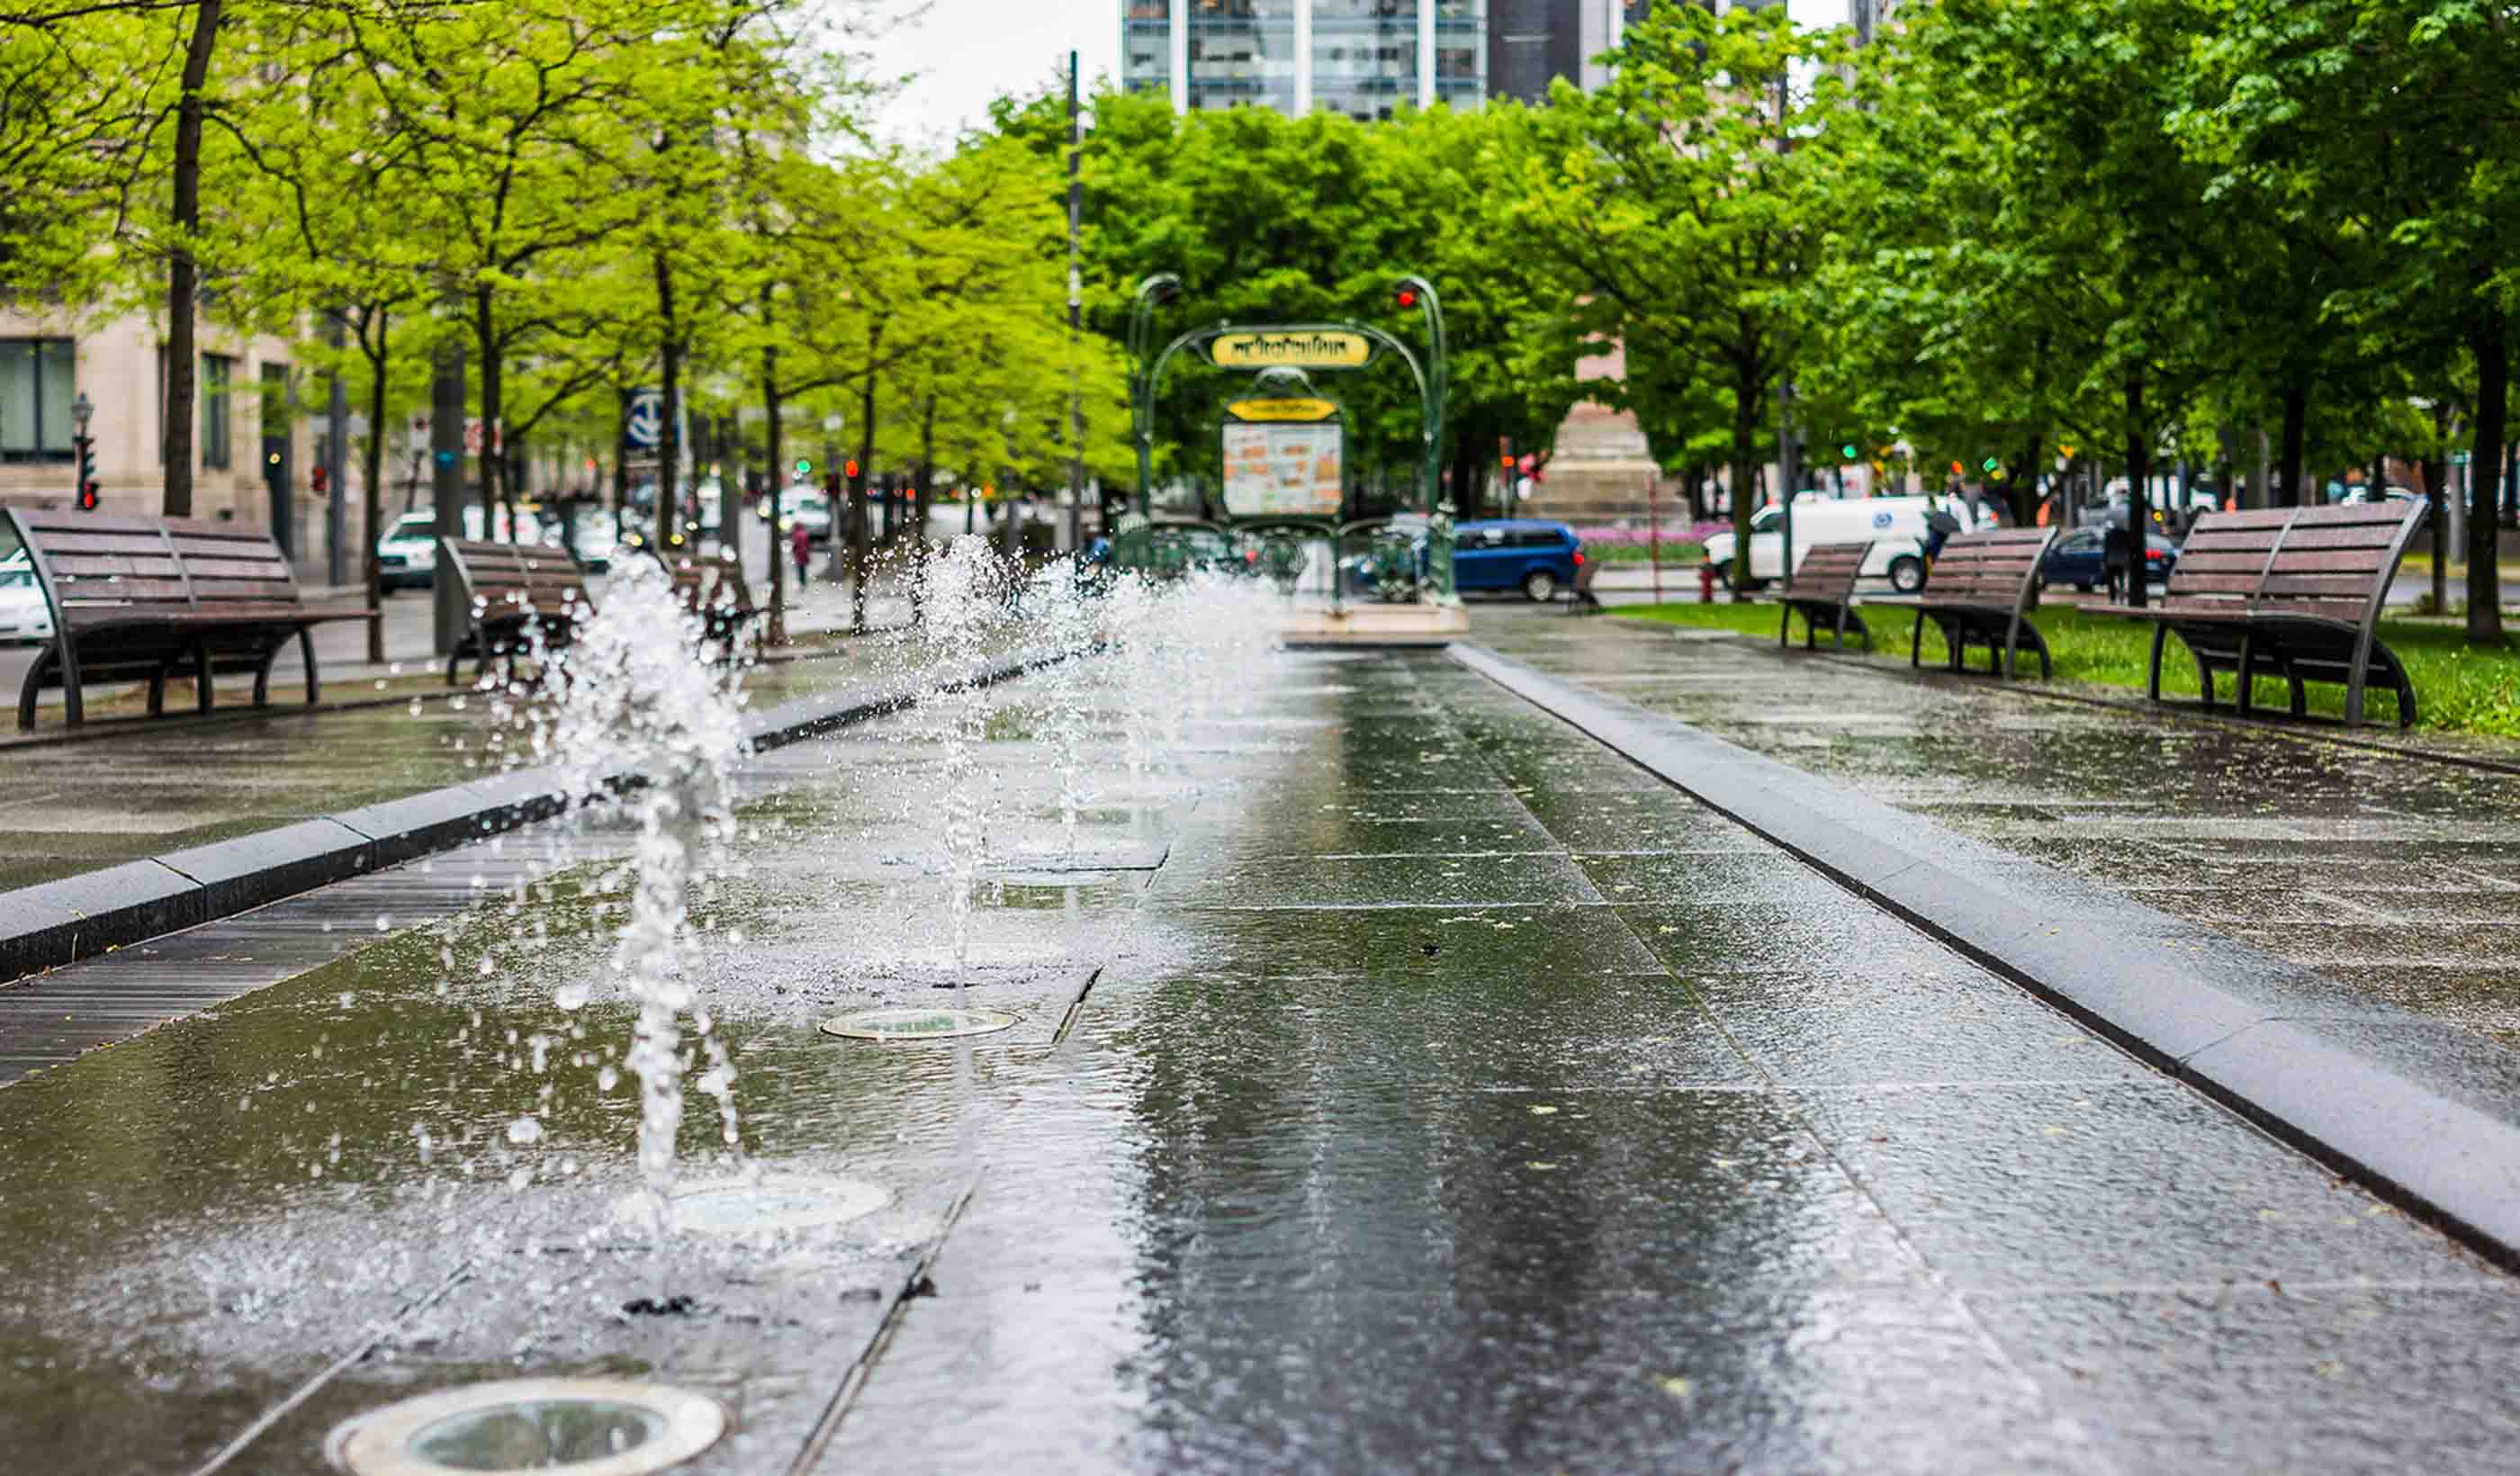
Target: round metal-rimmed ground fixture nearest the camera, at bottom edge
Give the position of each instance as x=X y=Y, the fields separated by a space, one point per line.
x=586 y=1427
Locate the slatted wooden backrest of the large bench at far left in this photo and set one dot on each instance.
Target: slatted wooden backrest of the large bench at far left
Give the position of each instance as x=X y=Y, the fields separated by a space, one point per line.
x=150 y=565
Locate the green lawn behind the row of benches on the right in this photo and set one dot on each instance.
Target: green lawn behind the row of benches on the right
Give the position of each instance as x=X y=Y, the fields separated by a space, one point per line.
x=2458 y=689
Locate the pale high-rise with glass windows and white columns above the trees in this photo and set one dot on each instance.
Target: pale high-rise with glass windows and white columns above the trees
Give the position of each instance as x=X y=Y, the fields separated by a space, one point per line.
x=1307 y=57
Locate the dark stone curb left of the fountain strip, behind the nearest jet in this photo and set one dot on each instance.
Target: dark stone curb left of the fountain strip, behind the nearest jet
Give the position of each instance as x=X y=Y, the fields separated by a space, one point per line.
x=72 y=918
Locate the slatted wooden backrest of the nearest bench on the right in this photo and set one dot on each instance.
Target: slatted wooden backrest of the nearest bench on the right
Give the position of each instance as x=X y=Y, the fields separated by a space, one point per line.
x=2332 y=563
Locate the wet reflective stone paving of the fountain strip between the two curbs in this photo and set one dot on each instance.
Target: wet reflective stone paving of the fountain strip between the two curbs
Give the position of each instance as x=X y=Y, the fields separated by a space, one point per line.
x=1428 y=1089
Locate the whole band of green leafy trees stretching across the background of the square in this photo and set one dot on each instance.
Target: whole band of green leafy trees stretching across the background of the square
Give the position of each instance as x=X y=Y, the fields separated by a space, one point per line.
x=2010 y=236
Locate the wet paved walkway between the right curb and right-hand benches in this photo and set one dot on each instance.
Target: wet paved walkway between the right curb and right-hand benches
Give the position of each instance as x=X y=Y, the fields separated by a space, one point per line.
x=2383 y=870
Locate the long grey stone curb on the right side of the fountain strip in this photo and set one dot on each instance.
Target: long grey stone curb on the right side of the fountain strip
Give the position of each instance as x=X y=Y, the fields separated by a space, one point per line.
x=2229 y=1019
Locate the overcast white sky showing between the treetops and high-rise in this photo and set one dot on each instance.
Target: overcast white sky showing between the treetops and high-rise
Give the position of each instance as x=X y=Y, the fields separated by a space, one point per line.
x=971 y=52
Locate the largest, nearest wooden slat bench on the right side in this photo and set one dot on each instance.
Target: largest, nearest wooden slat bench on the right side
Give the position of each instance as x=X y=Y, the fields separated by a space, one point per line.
x=2287 y=593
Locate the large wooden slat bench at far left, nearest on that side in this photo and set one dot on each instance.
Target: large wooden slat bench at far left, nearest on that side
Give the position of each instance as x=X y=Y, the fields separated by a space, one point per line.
x=137 y=598
